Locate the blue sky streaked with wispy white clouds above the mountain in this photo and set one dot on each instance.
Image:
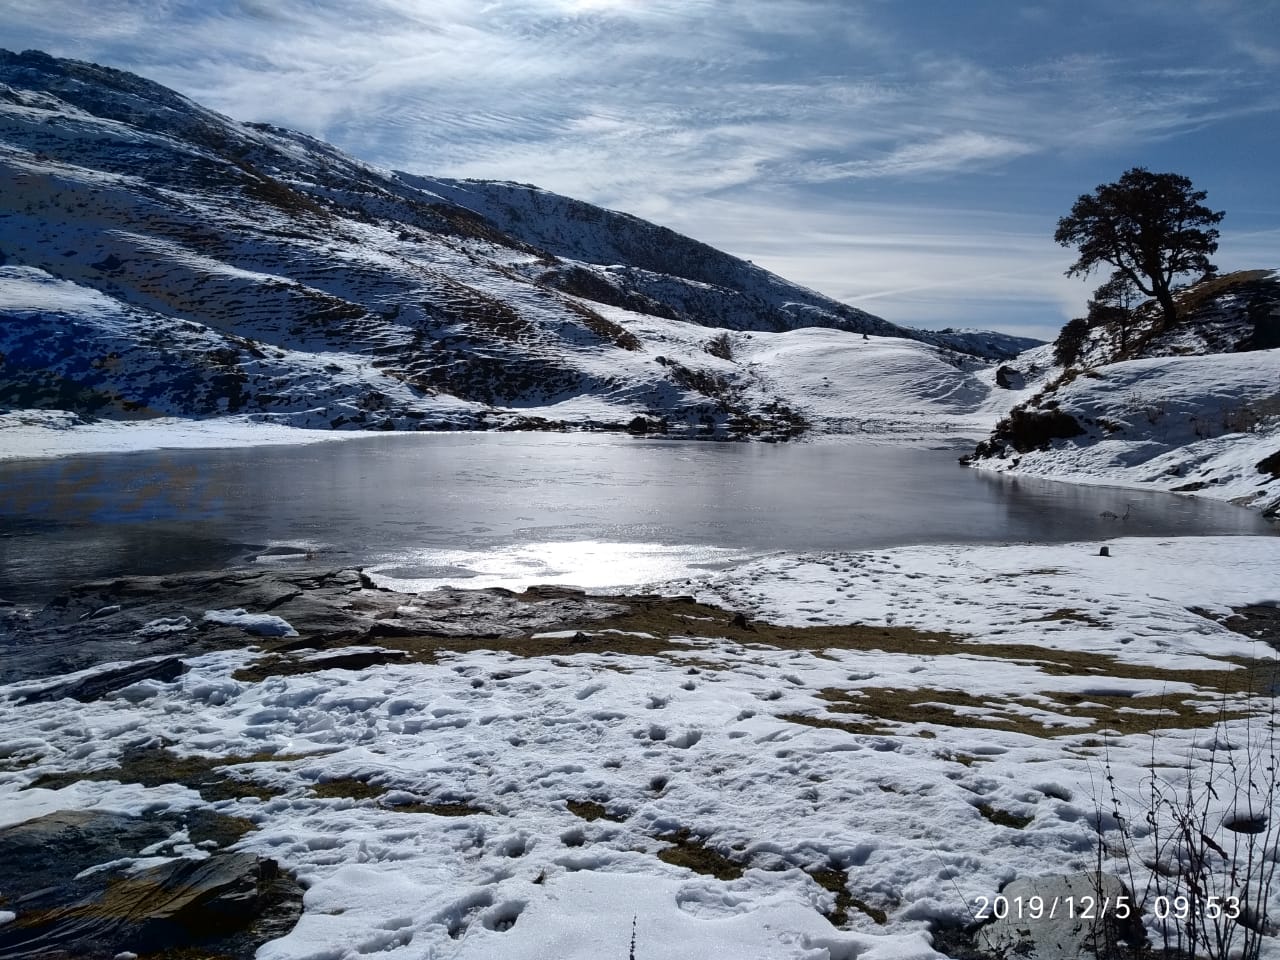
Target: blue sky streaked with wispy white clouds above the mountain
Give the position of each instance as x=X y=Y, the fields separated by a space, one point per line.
x=911 y=158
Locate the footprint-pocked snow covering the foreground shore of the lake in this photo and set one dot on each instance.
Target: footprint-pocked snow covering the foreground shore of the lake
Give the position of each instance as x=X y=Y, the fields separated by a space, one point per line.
x=956 y=747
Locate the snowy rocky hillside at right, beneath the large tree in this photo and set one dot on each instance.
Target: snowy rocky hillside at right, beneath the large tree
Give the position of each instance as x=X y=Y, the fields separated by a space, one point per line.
x=1194 y=408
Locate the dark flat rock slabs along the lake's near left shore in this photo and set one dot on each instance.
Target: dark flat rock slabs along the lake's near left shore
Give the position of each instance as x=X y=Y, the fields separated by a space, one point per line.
x=323 y=607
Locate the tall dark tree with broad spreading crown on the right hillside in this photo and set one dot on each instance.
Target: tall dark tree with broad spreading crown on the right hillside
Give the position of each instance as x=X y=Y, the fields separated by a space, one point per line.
x=1150 y=227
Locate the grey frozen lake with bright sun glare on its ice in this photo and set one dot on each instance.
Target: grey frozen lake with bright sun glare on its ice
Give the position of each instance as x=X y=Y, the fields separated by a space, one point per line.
x=600 y=511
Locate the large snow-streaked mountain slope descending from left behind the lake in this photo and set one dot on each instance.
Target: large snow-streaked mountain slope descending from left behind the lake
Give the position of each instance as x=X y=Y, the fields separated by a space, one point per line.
x=158 y=259
